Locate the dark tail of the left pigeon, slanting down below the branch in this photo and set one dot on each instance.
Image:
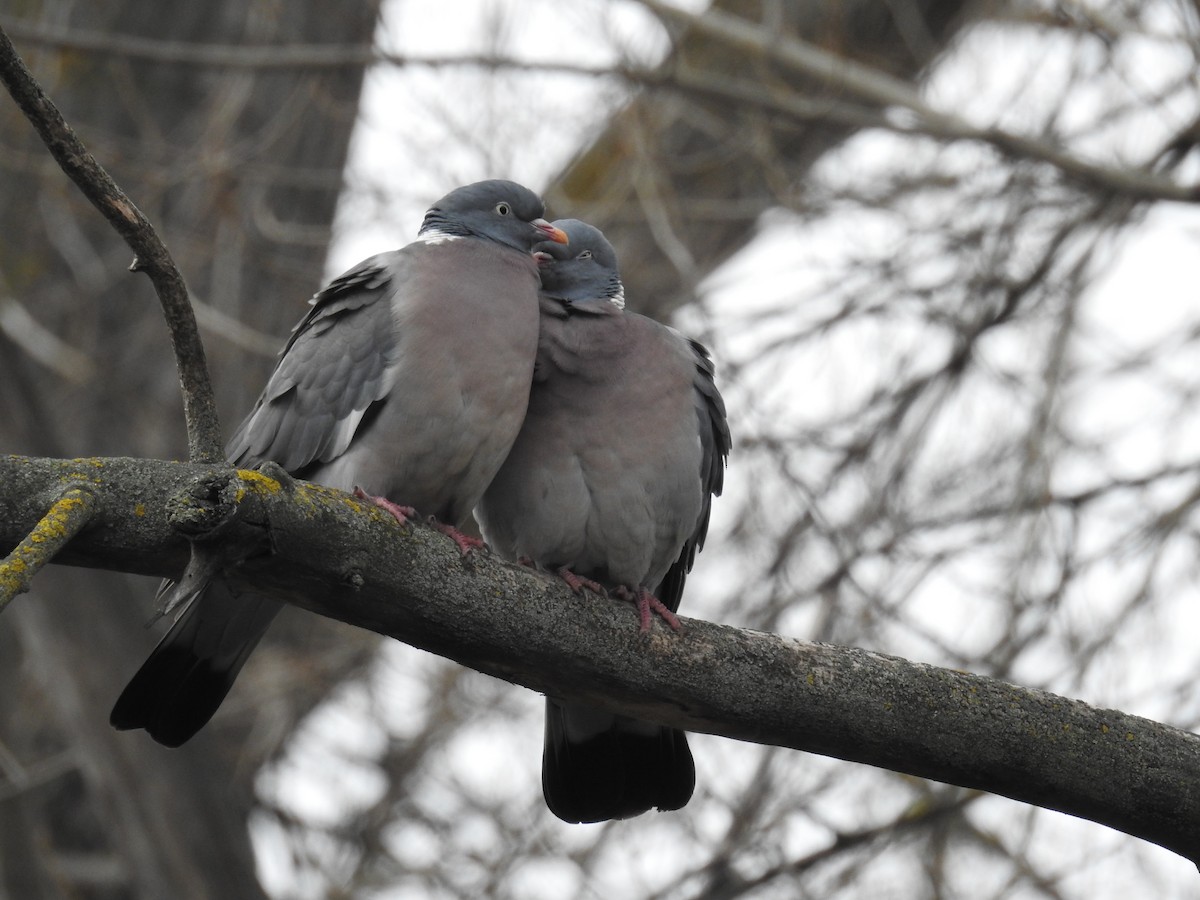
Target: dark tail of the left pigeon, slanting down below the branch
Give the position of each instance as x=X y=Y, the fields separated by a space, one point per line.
x=190 y=673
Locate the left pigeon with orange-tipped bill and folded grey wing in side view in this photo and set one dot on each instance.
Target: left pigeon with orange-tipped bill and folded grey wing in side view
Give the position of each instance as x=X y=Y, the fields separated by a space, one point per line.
x=410 y=376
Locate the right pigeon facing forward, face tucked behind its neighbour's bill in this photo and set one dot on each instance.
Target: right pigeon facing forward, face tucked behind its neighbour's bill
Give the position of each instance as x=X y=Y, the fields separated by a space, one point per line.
x=610 y=482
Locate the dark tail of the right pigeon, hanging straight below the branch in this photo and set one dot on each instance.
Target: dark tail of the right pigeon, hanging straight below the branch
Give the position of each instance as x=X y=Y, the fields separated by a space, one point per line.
x=598 y=766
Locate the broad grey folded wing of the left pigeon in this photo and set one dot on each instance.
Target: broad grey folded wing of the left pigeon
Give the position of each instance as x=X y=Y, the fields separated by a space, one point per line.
x=335 y=368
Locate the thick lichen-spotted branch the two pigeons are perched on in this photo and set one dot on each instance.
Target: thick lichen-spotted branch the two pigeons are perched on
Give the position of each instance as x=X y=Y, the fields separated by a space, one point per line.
x=346 y=561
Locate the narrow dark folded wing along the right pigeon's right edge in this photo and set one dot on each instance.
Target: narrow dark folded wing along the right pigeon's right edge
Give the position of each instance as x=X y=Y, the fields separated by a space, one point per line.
x=716 y=443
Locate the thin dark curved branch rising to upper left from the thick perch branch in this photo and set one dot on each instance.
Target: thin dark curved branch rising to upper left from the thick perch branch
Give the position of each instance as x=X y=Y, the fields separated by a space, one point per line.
x=205 y=442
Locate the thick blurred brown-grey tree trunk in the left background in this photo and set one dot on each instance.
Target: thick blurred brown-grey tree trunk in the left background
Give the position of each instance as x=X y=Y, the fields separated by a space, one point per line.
x=242 y=172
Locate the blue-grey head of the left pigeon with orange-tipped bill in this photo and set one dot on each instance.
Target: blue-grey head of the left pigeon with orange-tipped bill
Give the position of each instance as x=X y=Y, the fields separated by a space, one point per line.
x=497 y=211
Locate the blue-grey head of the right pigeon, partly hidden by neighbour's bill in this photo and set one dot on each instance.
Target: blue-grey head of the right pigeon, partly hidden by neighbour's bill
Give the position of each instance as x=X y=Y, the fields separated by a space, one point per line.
x=583 y=271
